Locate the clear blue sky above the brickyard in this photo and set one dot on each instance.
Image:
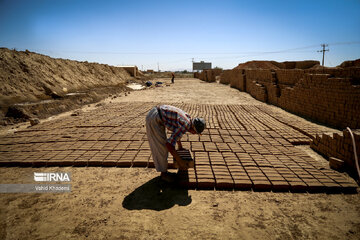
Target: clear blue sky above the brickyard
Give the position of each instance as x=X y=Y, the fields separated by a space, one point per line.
x=171 y=33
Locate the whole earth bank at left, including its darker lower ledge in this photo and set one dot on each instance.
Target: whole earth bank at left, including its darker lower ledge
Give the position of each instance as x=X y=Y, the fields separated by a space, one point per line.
x=38 y=86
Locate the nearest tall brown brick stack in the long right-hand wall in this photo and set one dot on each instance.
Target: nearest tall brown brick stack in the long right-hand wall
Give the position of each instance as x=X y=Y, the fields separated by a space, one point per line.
x=333 y=101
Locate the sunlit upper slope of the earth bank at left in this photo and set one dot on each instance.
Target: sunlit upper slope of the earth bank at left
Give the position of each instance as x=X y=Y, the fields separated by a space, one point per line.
x=27 y=76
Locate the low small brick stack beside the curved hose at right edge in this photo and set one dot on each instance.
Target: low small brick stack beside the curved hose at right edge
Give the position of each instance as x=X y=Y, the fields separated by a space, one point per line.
x=339 y=146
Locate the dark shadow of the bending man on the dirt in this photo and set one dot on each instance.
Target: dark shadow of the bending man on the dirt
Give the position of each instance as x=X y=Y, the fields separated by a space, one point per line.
x=156 y=195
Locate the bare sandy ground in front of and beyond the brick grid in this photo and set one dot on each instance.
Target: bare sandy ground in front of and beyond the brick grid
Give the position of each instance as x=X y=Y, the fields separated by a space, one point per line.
x=129 y=203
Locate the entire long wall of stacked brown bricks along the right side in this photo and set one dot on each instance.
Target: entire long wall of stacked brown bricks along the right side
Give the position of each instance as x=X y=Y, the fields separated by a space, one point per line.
x=329 y=96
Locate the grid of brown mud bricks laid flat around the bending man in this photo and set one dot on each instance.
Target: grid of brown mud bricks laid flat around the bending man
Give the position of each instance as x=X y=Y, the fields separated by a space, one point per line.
x=243 y=147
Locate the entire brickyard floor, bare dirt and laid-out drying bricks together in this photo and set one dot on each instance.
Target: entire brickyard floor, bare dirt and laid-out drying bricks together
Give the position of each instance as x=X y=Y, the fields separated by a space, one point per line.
x=255 y=175
